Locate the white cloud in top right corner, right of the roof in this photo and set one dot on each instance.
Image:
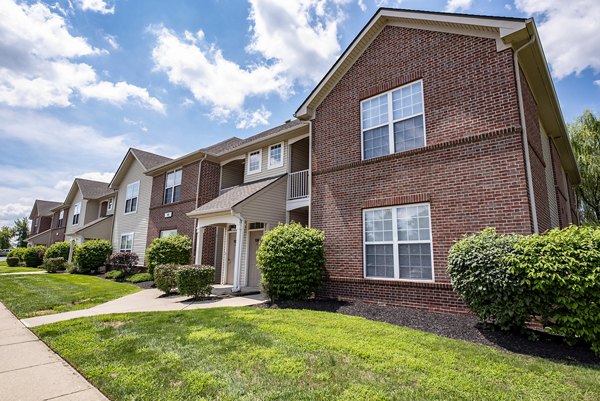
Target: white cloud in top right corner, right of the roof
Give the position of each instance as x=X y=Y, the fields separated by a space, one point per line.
x=569 y=31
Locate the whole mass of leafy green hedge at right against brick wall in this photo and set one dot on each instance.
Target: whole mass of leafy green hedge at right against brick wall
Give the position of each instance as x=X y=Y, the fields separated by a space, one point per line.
x=553 y=277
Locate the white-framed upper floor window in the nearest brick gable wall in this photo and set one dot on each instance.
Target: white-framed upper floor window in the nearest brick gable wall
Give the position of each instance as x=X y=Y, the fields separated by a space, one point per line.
x=393 y=122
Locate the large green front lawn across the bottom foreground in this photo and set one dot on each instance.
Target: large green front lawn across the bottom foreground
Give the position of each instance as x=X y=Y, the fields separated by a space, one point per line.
x=265 y=354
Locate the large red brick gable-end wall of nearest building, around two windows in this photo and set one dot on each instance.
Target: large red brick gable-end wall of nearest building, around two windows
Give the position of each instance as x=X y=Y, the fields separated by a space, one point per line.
x=472 y=171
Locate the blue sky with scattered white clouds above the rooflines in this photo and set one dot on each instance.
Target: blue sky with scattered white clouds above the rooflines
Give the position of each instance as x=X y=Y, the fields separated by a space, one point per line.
x=83 y=80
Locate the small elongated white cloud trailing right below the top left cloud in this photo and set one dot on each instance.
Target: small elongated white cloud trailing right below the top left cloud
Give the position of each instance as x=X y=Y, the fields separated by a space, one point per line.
x=121 y=93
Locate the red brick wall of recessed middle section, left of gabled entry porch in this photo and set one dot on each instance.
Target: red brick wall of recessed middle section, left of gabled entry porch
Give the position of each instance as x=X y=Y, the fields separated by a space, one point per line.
x=209 y=187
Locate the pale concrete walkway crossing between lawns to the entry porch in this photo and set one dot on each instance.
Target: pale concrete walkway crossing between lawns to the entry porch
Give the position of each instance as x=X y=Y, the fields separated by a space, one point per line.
x=151 y=300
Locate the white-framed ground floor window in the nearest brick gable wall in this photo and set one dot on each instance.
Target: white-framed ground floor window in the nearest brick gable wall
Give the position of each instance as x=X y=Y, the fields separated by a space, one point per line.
x=397 y=242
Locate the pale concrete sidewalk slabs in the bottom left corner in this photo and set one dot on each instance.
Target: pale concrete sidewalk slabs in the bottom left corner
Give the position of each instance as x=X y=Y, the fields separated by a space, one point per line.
x=30 y=371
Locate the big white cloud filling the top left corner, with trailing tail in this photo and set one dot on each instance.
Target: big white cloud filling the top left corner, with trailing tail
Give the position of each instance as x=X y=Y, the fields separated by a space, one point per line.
x=39 y=66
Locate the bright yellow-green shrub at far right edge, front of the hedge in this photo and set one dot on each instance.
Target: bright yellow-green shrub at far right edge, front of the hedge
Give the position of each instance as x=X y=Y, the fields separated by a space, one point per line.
x=560 y=271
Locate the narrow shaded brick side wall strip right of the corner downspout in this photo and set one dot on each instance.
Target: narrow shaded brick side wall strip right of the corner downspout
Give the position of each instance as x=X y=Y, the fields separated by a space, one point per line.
x=536 y=157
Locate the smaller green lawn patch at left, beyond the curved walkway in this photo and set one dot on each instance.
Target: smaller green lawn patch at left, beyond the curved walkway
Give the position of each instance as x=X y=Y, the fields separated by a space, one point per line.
x=44 y=294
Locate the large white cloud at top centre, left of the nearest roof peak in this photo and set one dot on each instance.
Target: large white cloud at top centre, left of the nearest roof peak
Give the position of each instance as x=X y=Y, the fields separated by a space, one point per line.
x=283 y=36
